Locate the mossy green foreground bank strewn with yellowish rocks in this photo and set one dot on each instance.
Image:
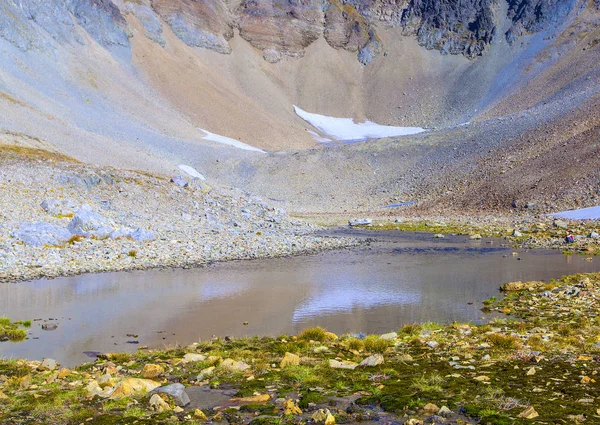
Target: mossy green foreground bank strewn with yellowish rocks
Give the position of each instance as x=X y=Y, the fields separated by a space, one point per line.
x=538 y=365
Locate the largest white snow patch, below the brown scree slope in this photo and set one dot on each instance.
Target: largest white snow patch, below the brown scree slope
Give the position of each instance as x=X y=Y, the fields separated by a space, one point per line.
x=345 y=129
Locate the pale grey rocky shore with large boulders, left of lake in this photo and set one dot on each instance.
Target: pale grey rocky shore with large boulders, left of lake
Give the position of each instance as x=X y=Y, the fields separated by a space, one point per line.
x=61 y=218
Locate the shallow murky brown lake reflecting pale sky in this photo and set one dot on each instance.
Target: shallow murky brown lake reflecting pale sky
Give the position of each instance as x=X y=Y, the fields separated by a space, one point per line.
x=399 y=278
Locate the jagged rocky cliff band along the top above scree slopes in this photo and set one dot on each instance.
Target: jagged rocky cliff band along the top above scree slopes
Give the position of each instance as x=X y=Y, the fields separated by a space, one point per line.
x=281 y=27
